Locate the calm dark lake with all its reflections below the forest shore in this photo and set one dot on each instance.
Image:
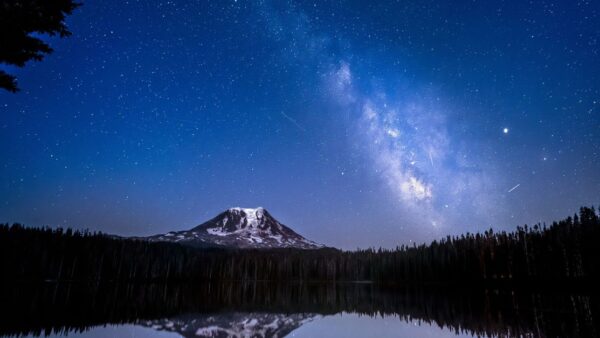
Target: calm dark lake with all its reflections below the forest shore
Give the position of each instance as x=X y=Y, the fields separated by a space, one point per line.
x=293 y=310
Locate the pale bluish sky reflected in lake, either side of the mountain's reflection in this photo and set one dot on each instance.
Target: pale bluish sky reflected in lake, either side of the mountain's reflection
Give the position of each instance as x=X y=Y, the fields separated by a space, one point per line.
x=339 y=325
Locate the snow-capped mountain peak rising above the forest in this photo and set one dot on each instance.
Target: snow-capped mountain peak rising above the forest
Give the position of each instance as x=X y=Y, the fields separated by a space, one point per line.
x=241 y=228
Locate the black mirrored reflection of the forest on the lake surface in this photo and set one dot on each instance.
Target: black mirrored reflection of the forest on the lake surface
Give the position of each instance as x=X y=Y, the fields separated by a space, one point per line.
x=59 y=308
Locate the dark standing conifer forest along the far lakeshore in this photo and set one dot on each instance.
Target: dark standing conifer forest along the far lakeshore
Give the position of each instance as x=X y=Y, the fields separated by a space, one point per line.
x=565 y=251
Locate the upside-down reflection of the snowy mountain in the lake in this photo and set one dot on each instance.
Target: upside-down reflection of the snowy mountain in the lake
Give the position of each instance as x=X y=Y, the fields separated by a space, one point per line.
x=233 y=324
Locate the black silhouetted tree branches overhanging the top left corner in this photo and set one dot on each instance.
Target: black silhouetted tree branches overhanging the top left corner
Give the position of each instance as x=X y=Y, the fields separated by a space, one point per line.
x=18 y=20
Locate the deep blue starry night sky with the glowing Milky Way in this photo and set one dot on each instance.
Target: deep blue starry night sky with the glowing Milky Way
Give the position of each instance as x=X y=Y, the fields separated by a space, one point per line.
x=356 y=123
